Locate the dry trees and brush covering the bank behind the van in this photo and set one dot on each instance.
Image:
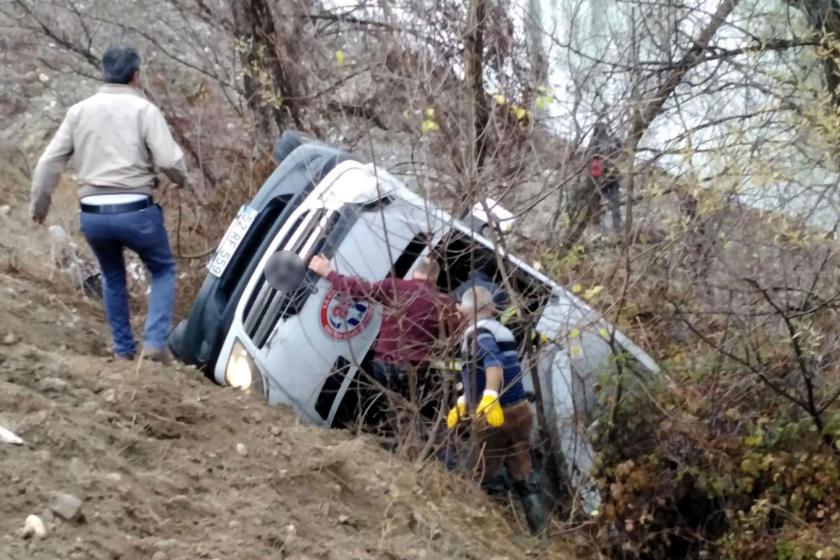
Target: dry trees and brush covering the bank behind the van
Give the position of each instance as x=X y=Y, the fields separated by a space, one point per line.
x=735 y=453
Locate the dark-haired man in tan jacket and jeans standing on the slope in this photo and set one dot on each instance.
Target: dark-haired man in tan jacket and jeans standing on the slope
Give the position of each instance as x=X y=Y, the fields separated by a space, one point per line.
x=118 y=142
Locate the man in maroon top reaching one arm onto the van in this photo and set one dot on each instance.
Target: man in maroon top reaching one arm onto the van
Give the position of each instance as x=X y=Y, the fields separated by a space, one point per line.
x=414 y=316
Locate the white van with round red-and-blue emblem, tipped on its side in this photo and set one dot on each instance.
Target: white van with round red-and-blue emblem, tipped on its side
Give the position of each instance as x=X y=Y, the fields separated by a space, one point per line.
x=298 y=342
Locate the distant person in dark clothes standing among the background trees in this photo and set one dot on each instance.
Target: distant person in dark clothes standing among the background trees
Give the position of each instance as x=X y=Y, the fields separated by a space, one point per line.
x=603 y=151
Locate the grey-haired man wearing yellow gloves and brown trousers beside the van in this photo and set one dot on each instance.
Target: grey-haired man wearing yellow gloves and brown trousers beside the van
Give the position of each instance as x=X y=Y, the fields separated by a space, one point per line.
x=495 y=398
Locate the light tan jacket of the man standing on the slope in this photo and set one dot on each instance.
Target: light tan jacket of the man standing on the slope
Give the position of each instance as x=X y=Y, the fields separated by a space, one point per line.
x=118 y=141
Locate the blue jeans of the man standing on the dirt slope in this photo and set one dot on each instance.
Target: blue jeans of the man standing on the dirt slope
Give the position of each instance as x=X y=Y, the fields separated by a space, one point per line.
x=143 y=232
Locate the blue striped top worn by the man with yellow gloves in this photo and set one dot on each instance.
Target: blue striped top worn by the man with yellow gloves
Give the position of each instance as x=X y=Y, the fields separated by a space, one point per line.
x=491 y=344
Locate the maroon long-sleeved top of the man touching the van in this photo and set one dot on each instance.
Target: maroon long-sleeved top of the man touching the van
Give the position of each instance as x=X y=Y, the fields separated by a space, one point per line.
x=415 y=316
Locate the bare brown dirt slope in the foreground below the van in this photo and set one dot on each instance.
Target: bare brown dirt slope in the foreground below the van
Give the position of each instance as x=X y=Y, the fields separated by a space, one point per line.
x=170 y=466
